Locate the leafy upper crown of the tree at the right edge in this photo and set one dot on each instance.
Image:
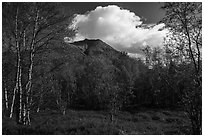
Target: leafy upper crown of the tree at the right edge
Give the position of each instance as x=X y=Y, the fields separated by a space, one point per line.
x=185 y=23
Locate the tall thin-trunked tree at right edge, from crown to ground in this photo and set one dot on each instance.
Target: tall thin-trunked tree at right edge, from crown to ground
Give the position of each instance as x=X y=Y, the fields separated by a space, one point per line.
x=184 y=20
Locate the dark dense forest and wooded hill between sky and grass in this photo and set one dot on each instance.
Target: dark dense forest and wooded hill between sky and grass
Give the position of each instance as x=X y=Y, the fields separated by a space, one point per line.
x=43 y=74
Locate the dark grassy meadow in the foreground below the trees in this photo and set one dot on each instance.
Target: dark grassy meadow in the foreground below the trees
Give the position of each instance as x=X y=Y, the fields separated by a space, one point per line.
x=143 y=122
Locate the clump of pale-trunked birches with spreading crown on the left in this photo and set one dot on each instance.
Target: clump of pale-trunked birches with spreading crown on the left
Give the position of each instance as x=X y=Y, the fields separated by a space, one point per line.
x=32 y=26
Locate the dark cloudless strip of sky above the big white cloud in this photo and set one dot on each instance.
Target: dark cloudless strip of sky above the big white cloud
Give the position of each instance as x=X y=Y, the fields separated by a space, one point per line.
x=148 y=10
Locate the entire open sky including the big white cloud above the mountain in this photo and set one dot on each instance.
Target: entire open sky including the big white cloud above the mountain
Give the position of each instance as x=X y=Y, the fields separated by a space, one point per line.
x=119 y=24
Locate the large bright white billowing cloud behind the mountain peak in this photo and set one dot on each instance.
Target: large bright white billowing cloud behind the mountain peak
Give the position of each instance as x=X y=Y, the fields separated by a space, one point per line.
x=119 y=28
